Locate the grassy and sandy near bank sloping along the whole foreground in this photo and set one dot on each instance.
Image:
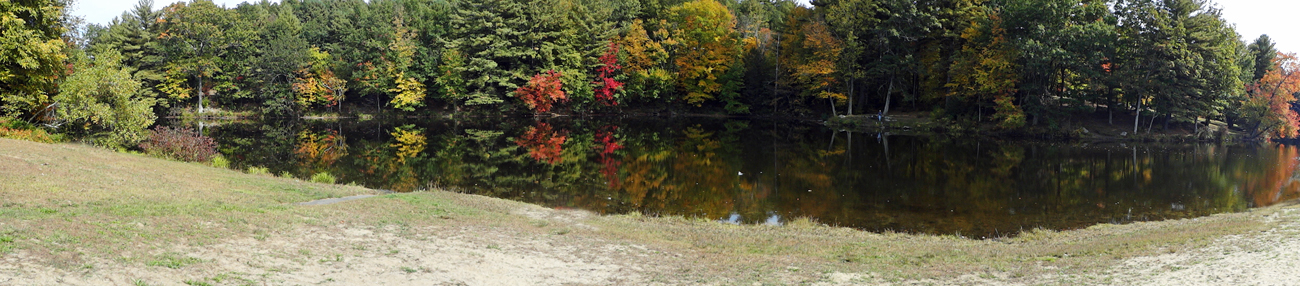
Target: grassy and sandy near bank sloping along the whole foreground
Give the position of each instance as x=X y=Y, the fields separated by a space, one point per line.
x=77 y=215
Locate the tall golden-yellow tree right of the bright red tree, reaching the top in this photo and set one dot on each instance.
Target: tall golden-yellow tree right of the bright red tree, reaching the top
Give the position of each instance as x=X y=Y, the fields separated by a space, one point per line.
x=707 y=33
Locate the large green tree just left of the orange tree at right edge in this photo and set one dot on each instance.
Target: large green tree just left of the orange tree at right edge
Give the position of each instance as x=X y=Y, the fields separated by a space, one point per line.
x=1178 y=58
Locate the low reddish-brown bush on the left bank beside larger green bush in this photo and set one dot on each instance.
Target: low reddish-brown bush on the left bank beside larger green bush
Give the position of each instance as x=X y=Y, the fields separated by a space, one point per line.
x=183 y=145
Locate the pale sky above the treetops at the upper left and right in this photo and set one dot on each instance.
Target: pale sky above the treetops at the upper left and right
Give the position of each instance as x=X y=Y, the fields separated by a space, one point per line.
x=1253 y=18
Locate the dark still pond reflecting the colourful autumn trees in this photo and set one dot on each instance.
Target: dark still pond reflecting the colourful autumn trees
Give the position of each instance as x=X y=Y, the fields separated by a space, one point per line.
x=765 y=172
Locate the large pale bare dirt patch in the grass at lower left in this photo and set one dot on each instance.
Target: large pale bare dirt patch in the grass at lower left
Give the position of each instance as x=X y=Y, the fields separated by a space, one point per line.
x=348 y=255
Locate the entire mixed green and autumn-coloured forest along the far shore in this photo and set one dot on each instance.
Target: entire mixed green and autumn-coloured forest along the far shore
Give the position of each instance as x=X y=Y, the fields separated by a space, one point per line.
x=1006 y=63
